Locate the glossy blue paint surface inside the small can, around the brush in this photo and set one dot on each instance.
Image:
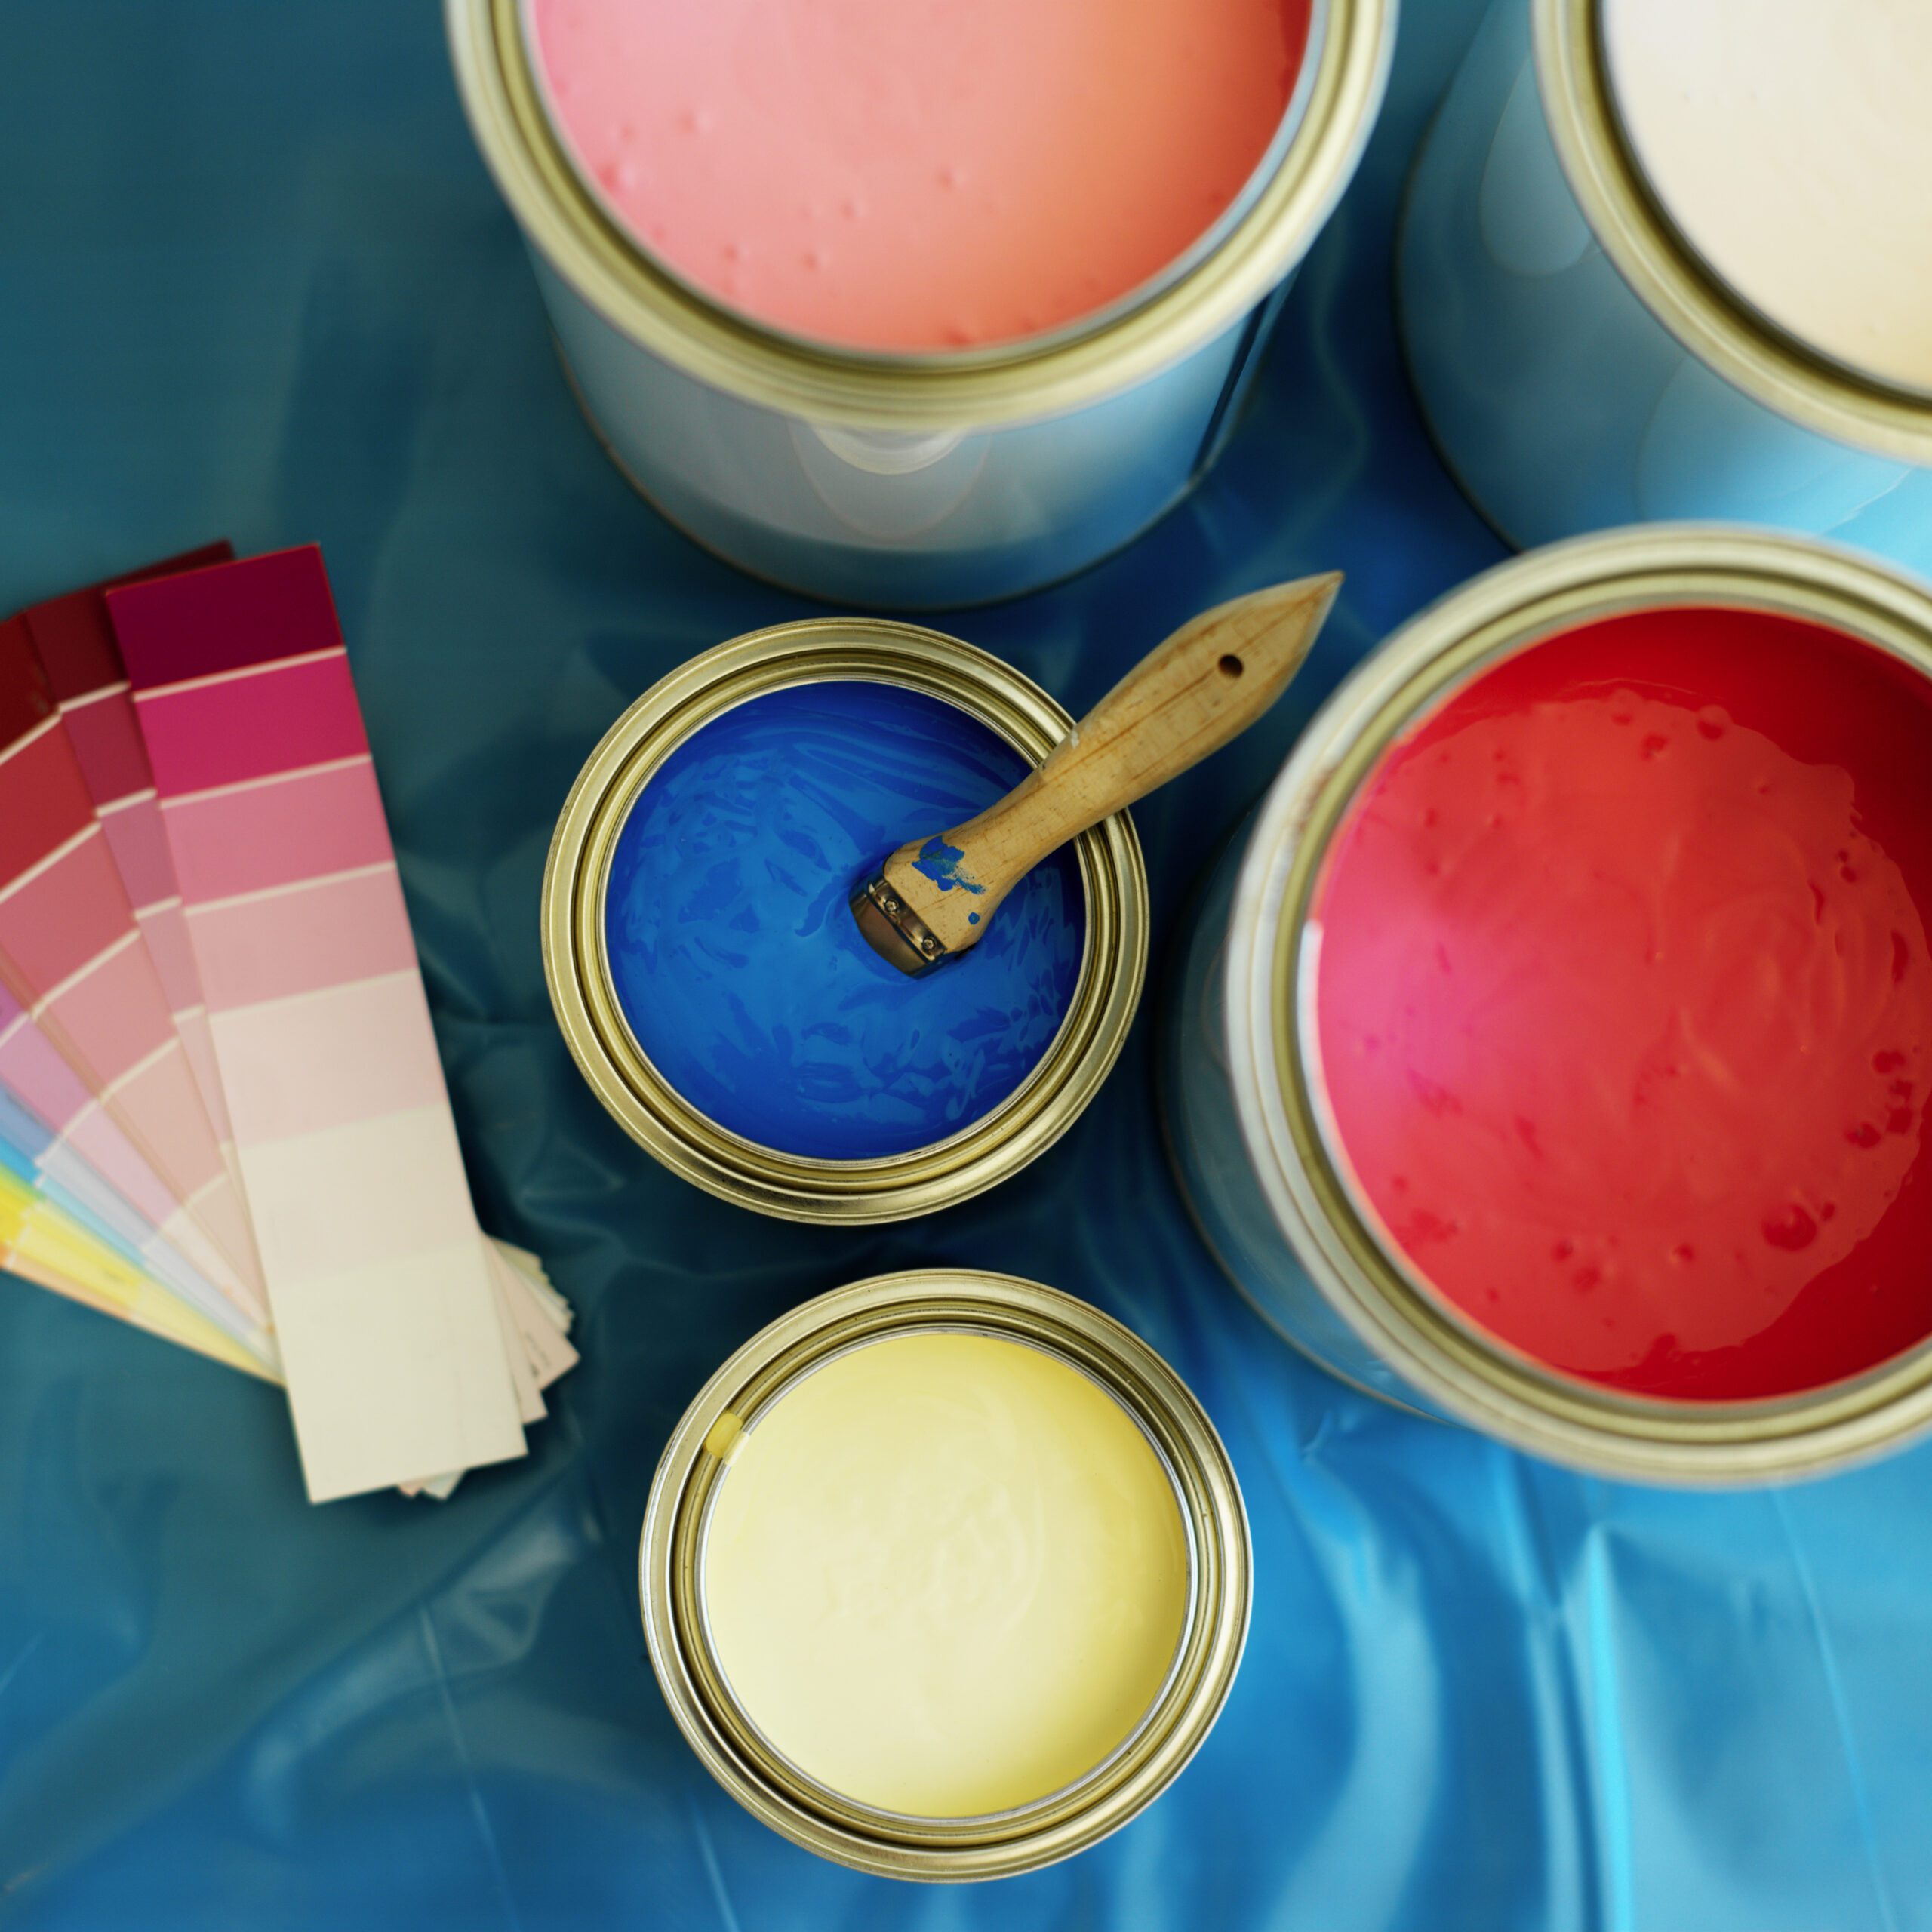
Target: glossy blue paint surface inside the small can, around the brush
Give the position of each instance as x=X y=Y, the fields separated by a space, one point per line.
x=741 y=971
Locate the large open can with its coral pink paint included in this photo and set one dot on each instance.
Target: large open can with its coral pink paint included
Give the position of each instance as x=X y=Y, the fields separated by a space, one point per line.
x=917 y=306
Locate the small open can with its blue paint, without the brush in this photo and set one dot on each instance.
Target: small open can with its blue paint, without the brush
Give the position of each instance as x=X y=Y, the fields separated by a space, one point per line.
x=714 y=986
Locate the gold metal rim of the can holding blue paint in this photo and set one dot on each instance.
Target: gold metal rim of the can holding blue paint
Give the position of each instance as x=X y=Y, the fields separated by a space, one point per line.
x=650 y=1106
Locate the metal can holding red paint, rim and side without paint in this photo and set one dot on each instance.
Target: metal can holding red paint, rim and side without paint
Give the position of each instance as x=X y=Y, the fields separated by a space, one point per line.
x=1247 y=1110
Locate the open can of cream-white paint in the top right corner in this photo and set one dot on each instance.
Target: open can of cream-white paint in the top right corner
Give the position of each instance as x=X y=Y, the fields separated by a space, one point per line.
x=1577 y=353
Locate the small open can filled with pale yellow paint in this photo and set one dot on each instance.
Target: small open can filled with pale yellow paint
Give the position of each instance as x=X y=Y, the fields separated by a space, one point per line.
x=946 y=1576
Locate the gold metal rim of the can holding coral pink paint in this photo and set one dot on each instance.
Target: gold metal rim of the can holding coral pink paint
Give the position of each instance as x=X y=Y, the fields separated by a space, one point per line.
x=1344 y=76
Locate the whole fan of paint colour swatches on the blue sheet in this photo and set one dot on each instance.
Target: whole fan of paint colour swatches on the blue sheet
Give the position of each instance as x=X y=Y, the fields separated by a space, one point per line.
x=221 y=1106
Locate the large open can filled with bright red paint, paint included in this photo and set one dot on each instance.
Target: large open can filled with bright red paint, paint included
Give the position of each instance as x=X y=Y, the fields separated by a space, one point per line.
x=1554 y=1050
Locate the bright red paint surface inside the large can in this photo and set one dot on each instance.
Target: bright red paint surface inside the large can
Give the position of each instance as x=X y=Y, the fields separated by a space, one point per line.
x=1626 y=1006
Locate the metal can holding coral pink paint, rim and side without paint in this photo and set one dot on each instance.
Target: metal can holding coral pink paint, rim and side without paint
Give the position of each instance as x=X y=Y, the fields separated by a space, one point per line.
x=915 y=482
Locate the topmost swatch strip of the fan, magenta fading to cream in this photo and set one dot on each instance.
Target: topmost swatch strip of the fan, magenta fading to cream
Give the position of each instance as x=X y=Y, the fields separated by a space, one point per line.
x=385 y=1301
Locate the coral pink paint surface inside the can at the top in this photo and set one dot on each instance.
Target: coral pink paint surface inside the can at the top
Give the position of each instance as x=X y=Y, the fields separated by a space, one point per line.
x=919 y=175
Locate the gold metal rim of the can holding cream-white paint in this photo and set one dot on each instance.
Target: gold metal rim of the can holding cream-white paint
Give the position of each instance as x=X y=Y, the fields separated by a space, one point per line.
x=1711 y=320
